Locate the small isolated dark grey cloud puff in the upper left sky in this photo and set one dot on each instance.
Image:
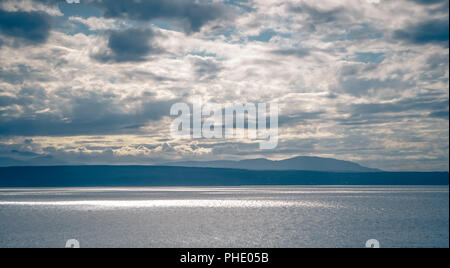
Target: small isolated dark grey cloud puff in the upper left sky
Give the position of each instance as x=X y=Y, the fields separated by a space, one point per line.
x=130 y=45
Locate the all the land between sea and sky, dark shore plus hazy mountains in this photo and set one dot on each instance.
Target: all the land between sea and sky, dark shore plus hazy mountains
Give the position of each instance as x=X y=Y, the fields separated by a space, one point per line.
x=46 y=172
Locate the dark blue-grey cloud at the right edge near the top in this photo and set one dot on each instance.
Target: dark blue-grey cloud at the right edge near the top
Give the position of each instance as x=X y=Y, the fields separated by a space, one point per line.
x=431 y=31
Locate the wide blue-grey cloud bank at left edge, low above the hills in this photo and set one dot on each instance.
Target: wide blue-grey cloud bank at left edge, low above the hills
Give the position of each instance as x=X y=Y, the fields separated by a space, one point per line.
x=89 y=114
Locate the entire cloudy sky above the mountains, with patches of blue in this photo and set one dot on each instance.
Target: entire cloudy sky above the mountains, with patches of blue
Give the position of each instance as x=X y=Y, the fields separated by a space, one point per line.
x=93 y=82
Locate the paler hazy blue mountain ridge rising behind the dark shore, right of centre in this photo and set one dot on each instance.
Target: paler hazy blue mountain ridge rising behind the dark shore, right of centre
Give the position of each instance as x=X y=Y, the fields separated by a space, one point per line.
x=302 y=163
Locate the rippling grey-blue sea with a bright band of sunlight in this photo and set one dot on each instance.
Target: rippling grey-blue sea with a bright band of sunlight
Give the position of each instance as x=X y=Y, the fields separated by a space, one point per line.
x=324 y=217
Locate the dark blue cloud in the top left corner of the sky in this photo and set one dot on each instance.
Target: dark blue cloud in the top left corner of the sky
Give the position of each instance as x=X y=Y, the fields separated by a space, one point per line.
x=29 y=28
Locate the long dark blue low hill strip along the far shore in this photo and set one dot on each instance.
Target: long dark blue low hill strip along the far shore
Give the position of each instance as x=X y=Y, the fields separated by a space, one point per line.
x=140 y=176
